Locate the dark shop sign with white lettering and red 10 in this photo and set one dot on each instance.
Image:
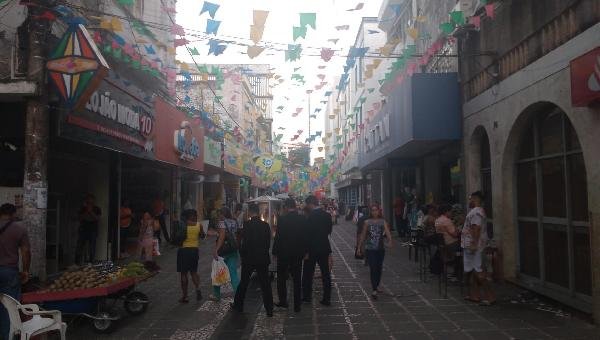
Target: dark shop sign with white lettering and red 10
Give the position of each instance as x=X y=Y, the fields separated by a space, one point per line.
x=117 y=116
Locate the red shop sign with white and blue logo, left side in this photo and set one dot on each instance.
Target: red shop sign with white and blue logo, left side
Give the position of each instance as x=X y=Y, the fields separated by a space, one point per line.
x=179 y=139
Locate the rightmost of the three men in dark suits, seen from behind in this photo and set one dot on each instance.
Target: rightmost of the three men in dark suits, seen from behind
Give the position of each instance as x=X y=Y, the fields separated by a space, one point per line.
x=319 y=226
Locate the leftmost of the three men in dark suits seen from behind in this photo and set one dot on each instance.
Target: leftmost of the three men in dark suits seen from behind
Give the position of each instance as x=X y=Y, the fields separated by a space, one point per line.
x=254 y=251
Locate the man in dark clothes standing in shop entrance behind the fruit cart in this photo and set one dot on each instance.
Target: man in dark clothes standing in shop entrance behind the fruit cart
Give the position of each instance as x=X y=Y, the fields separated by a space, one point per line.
x=89 y=218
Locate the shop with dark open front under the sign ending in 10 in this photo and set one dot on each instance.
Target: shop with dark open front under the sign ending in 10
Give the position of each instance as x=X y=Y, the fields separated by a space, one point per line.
x=86 y=156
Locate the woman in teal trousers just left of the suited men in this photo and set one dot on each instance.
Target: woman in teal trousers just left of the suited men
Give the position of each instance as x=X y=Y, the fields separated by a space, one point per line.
x=227 y=247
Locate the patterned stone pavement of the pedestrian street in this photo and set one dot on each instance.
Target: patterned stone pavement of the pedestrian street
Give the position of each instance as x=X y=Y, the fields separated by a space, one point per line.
x=408 y=309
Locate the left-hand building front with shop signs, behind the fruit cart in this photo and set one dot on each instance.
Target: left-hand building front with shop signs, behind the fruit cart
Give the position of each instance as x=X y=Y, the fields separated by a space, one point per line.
x=123 y=141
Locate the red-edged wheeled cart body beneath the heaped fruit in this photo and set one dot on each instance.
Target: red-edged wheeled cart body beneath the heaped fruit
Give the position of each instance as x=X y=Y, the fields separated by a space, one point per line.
x=98 y=304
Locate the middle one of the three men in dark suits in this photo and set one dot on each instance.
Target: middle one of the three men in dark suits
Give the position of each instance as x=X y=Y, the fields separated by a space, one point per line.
x=290 y=248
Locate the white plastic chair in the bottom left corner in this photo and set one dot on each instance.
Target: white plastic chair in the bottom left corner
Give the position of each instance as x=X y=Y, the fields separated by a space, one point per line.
x=41 y=321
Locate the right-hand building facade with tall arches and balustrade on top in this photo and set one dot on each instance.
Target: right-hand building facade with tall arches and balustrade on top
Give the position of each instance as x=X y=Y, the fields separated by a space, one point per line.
x=530 y=117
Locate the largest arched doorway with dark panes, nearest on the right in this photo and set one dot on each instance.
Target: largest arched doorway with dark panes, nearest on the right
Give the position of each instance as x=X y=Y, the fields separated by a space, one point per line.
x=552 y=208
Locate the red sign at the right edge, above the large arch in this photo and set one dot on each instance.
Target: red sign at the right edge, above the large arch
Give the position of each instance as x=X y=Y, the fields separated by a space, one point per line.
x=585 y=79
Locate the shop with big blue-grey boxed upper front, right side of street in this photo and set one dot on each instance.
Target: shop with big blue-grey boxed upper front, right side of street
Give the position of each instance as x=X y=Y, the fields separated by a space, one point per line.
x=422 y=150
